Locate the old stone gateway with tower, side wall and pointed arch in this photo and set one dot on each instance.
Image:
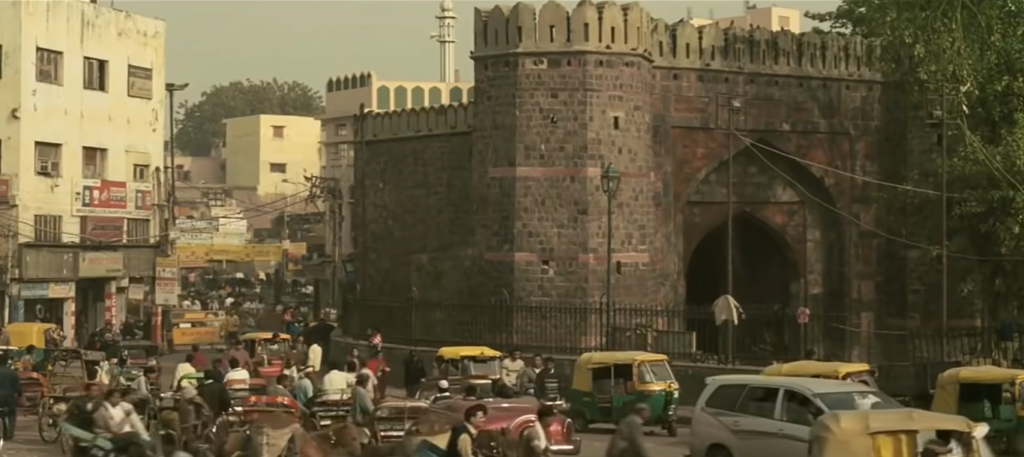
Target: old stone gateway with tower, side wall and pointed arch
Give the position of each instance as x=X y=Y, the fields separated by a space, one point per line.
x=502 y=198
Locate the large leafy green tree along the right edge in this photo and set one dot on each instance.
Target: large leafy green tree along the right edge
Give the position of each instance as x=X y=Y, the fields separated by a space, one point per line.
x=973 y=47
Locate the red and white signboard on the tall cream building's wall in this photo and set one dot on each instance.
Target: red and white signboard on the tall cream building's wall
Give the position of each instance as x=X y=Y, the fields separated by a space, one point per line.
x=107 y=198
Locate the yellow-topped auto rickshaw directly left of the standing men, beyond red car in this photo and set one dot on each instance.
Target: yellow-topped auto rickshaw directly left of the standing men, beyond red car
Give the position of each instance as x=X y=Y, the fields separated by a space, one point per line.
x=462 y=366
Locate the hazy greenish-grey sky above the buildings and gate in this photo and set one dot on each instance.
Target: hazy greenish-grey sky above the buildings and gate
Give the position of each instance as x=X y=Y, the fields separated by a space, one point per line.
x=211 y=43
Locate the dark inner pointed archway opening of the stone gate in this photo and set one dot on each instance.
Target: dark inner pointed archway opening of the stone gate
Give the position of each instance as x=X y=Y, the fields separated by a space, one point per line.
x=766 y=280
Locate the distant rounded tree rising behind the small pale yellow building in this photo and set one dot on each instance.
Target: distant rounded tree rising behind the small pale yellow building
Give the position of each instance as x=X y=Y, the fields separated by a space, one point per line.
x=200 y=124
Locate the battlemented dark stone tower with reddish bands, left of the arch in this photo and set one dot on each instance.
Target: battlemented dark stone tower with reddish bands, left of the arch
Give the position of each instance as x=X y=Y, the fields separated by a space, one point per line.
x=561 y=94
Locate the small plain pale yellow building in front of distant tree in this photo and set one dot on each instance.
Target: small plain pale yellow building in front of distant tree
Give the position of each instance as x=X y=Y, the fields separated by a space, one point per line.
x=272 y=154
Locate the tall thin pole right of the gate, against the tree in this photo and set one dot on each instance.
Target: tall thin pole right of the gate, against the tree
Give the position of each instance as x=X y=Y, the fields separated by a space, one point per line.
x=941 y=115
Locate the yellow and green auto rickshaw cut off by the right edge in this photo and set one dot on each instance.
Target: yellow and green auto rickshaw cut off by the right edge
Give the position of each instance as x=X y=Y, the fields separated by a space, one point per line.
x=990 y=395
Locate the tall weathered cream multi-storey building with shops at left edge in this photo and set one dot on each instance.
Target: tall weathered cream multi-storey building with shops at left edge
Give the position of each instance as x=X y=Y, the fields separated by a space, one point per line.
x=82 y=100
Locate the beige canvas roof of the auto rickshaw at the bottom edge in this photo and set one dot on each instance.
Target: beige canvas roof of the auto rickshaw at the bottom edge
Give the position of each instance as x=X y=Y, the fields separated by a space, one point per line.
x=846 y=434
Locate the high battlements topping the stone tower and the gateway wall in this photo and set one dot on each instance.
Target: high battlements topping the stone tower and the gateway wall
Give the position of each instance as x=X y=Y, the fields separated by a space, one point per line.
x=608 y=27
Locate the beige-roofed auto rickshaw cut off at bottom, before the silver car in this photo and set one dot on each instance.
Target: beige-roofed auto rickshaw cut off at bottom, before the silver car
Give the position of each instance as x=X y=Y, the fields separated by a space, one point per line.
x=899 y=433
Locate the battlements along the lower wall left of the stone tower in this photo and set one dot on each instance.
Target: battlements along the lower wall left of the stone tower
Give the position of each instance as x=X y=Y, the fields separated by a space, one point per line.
x=422 y=121
